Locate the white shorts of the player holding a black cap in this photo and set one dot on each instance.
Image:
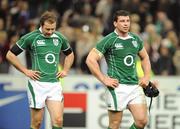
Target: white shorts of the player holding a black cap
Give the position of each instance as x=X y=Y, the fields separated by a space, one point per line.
x=119 y=98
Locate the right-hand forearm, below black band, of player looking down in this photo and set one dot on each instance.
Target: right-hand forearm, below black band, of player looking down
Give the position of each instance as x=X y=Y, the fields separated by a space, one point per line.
x=68 y=61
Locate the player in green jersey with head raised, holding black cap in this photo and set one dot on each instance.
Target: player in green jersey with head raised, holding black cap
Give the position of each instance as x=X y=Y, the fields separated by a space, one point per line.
x=120 y=49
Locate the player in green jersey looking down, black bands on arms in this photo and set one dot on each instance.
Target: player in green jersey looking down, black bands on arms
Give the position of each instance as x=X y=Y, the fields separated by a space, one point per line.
x=44 y=89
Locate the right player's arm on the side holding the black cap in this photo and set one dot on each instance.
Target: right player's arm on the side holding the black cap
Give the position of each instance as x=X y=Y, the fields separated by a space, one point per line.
x=146 y=66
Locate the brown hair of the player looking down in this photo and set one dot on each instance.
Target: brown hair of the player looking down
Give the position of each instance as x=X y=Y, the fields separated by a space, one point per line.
x=48 y=16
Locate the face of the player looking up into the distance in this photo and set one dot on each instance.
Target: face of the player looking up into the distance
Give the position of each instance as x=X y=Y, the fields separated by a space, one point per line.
x=122 y=24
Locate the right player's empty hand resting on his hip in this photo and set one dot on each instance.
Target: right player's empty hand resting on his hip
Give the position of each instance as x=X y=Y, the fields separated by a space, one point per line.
x=110 y=82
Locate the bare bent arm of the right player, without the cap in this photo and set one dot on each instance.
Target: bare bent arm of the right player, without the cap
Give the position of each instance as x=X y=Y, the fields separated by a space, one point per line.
x=92 y=62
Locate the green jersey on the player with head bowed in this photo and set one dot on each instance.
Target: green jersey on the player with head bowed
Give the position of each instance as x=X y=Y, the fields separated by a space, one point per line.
x=45 y=52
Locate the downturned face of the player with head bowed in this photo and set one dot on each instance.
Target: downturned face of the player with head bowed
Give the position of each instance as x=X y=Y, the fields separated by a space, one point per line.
x=48 y=28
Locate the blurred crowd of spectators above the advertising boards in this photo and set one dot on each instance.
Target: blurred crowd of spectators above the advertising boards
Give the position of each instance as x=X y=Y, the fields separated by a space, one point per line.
x=84 y=22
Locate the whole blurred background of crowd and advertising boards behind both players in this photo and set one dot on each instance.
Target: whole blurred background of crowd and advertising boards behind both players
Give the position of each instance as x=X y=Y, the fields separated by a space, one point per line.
x=84 y=22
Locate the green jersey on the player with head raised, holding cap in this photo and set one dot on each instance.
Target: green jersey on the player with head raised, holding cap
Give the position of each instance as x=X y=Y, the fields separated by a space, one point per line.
x=120 y=54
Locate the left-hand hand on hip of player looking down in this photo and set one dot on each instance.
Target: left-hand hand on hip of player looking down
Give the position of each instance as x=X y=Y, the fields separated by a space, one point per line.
x=34 y=75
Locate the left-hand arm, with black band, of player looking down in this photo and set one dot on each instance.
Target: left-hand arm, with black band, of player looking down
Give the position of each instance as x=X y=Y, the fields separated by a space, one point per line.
x=11 y=56
